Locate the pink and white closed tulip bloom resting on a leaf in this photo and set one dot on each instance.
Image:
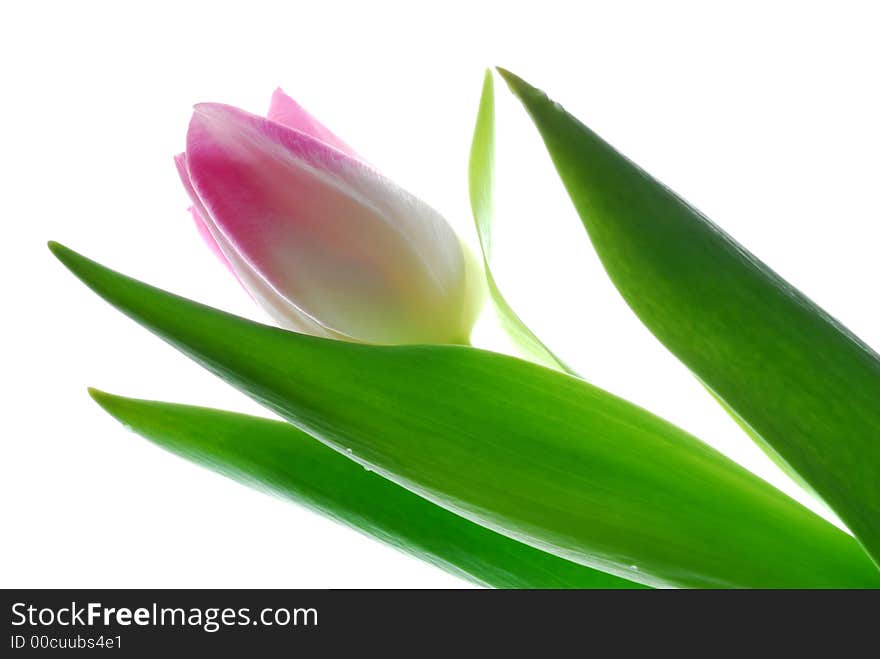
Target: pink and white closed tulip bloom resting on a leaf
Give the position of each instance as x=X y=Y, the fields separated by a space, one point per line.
x=321 y=240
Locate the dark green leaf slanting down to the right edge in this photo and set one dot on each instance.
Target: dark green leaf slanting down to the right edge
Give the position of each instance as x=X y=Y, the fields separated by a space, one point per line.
x=795 y=377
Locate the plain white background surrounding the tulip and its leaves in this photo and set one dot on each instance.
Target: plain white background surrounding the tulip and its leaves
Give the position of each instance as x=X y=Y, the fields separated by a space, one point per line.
x=764 y=115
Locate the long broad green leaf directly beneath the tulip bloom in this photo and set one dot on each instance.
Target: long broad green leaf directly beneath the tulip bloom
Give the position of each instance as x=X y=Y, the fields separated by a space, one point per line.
x=537 y=455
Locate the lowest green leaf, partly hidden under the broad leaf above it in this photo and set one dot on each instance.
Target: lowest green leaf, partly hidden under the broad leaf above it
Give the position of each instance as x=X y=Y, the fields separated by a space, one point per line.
x=276 y=457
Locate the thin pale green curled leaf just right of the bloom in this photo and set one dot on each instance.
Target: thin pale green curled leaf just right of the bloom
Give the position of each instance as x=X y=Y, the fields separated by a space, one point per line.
x=481 y=179
